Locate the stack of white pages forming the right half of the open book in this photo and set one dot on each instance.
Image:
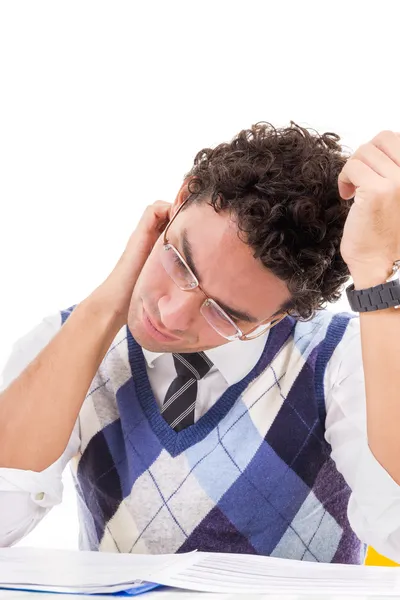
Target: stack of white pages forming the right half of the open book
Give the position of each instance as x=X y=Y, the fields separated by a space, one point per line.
x=247 y=574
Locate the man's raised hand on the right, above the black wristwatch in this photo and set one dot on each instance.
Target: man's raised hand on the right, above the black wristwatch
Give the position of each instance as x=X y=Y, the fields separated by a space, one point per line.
x=371 y=237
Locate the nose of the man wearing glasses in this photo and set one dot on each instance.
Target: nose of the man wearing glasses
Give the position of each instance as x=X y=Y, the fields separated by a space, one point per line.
x=179 y=310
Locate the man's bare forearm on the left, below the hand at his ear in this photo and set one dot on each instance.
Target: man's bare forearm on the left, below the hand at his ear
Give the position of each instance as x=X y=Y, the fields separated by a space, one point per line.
x=39 y=409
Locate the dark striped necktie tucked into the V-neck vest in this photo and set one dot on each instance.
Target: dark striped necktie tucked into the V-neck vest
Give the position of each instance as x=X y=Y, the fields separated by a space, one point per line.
x=180 y=399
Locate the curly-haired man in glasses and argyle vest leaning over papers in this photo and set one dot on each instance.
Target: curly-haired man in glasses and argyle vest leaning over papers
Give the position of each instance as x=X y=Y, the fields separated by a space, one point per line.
x=203 y=396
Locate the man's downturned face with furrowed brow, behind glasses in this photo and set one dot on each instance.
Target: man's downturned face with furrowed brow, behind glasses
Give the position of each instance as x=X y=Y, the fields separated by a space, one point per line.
x=227 y=272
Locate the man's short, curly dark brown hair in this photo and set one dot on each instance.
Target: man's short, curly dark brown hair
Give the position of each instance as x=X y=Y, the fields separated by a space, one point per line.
x=281 y=186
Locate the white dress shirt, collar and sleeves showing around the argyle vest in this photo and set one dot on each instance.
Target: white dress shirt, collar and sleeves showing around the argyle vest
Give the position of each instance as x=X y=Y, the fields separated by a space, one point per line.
x=374 y=507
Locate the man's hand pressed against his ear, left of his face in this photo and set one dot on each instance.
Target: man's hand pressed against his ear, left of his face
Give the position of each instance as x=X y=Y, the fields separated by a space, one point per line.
x=117 y=289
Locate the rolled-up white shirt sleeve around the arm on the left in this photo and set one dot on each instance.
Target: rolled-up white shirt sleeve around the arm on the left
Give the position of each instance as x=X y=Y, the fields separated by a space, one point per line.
x=27 y=496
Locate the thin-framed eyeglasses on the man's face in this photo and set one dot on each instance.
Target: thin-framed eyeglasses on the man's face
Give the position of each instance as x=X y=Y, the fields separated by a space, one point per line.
x=181 y=274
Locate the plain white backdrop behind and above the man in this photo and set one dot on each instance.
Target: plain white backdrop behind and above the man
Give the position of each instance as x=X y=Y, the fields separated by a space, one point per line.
x=103 y=106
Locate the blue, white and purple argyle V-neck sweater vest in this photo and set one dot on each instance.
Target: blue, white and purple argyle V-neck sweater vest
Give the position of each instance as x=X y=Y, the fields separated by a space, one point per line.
x=253 y=475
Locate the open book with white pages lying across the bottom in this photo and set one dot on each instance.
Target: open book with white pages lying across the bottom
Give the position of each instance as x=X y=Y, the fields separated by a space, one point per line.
x=72 y=571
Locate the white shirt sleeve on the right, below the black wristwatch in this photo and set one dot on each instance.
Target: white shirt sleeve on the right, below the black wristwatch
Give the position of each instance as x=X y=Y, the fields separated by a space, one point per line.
x=374 y=506
